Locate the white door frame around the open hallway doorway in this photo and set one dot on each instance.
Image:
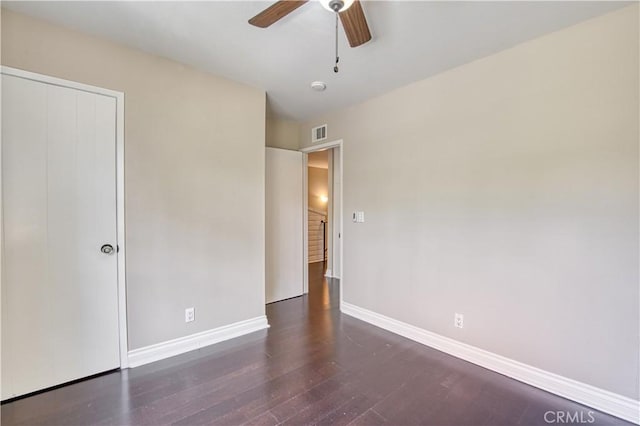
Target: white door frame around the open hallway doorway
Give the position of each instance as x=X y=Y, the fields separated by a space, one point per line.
x=320 y=147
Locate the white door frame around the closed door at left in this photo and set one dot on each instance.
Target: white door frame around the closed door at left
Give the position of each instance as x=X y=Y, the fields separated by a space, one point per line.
x=120 y=216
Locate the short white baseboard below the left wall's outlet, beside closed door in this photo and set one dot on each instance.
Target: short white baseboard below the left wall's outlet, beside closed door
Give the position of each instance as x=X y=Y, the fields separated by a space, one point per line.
x=181 y=345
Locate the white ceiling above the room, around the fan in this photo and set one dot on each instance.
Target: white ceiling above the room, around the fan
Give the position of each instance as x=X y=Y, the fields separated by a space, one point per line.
x=411 y=41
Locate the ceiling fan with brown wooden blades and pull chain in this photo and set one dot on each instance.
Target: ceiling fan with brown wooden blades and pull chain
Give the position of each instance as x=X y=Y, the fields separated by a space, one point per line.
x=350 y=13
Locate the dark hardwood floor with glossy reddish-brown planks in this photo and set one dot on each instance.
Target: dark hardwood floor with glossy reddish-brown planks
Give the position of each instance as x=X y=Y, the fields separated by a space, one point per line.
x=313 y=366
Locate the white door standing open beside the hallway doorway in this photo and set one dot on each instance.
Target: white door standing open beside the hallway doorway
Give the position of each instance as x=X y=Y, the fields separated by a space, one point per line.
x=284 y=216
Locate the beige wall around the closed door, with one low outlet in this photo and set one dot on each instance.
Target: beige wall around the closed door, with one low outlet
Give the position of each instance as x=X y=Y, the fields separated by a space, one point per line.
x=194 y=178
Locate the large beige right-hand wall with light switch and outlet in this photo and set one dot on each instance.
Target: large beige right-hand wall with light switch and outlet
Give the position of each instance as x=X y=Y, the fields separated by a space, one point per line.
x=507 y=190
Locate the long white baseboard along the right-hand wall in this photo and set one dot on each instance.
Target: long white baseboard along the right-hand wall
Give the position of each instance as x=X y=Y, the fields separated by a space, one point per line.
x=600 y=399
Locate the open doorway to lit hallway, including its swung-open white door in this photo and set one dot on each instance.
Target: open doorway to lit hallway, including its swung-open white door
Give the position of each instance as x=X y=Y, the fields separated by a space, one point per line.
x=288 y=219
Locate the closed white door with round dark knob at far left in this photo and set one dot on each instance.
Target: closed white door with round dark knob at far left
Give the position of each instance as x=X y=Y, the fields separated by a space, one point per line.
x=59 y=289
